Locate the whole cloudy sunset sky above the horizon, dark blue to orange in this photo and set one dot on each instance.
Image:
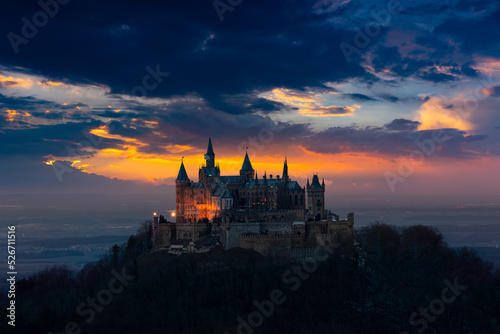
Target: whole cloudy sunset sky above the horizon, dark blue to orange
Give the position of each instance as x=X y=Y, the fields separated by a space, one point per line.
x=376 y=97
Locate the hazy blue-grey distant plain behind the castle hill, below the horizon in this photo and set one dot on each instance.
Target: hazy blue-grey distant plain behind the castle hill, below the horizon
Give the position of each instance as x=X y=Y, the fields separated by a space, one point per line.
x=77 y=229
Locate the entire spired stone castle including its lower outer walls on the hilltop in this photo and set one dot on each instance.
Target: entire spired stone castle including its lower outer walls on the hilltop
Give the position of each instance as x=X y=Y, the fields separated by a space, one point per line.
x=269 y=215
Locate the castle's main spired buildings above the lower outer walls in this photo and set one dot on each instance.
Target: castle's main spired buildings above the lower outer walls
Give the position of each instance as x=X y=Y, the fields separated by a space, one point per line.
x=277 y=199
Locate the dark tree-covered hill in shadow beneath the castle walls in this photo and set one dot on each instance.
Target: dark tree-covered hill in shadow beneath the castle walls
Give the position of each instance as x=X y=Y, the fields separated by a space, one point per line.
x=391 y=281
